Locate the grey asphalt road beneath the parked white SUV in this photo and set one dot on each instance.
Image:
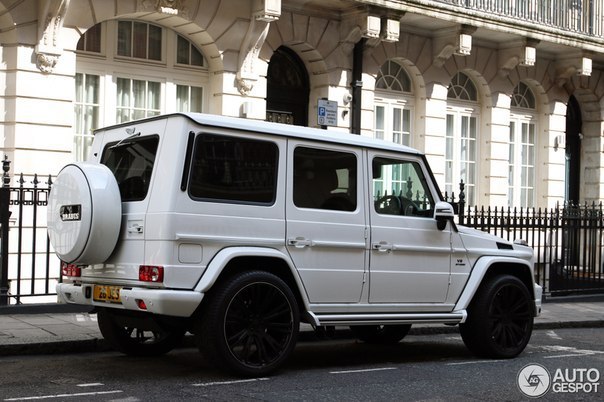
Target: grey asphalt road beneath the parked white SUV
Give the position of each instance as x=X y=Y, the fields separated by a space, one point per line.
x=429 y=367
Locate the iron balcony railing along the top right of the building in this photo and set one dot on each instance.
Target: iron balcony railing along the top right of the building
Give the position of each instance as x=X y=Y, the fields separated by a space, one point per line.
x=580 y=16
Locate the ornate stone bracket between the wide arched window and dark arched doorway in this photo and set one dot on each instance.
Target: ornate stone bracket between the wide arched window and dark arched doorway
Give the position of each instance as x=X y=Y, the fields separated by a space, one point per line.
x=263 y=13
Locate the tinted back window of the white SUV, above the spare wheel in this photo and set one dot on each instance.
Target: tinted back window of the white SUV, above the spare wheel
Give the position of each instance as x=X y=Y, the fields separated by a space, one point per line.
x=131 y=161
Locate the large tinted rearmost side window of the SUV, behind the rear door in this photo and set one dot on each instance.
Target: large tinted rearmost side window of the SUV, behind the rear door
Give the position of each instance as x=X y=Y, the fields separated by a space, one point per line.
x=233 y=169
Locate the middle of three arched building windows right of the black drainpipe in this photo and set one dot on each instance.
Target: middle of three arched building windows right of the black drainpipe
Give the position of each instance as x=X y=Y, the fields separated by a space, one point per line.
x=461 y=137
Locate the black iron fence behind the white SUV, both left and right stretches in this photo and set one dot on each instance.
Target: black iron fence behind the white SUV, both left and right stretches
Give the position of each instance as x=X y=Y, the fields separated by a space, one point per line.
x=568 y=241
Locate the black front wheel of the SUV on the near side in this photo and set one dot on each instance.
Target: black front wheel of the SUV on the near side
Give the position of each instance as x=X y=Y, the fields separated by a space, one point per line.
x=500 y=319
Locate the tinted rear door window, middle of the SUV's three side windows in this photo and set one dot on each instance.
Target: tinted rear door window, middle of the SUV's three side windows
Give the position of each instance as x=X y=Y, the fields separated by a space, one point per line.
x=325 y=179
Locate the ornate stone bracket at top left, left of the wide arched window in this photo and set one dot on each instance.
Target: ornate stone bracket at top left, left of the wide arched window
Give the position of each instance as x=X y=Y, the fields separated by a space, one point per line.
x=51 y=15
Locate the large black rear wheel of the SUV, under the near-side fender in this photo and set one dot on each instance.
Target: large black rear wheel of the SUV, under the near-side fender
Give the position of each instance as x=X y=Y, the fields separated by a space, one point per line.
x=250 y=325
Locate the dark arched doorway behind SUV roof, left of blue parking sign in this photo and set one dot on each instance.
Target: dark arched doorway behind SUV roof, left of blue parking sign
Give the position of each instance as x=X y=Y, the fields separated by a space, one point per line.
x=287 y=88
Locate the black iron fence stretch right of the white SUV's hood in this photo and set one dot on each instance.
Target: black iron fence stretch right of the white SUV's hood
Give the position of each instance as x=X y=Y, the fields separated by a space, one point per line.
x=567 y=241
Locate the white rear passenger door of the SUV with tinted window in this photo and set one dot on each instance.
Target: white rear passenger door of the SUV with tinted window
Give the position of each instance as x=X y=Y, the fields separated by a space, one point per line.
x=326 y=223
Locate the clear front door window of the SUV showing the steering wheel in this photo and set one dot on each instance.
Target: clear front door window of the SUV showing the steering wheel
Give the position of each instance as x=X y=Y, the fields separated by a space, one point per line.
x=400 y=188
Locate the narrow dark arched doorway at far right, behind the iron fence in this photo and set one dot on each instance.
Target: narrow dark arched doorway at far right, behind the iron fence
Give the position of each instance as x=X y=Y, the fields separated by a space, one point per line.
x=573 y=151
